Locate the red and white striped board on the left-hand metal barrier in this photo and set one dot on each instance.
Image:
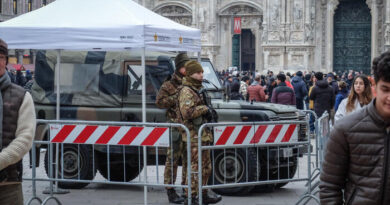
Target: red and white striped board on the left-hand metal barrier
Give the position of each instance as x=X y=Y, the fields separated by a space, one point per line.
x=110 y=135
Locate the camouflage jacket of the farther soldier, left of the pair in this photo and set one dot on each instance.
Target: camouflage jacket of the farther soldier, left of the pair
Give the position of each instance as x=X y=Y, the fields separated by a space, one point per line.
x=167 y=97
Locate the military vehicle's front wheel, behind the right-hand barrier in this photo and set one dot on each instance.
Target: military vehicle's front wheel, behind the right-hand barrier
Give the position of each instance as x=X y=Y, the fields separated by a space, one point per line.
x=241 y=166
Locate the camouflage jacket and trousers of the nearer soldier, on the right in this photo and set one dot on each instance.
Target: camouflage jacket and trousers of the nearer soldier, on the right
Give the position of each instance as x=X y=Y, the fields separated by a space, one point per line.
x=191 y=110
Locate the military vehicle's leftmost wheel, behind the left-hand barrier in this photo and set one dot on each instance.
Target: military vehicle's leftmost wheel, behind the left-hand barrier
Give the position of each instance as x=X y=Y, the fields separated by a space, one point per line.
x=74 y=167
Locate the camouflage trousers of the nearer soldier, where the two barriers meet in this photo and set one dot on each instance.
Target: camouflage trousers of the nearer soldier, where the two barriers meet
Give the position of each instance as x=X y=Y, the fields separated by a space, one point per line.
x=206 y=167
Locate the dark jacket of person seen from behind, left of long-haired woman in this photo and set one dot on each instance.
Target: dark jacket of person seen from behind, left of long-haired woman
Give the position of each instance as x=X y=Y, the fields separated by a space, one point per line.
x=323 y=97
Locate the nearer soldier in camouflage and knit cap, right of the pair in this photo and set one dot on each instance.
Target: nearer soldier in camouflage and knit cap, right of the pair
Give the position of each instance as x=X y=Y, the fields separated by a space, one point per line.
x=193 y=113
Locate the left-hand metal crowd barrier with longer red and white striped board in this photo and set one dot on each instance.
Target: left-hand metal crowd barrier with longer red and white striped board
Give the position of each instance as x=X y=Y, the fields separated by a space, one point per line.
x=74 y=140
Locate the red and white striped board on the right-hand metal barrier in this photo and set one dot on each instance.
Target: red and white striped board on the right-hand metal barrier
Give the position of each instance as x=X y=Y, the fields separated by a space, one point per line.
x=258 y=134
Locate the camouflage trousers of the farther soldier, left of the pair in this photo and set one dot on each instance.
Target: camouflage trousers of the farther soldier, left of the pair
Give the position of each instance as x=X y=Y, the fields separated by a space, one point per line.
x=174 y=154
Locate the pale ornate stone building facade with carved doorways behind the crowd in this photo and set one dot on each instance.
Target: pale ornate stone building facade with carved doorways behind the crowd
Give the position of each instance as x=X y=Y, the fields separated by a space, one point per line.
x=319 y=35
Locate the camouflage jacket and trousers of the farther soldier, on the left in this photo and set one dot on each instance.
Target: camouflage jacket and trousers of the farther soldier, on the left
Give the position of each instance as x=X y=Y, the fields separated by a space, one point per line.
x=167 y=98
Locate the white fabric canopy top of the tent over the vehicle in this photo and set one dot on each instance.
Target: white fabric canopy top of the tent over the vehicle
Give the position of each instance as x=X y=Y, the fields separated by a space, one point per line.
x=97 y=25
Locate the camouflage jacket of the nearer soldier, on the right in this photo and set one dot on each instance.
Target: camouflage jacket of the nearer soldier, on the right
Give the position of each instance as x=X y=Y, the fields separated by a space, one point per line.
x=191 y=110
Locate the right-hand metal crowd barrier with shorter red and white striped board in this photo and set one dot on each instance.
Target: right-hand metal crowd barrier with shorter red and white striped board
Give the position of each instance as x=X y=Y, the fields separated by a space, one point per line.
x=270 y=153
